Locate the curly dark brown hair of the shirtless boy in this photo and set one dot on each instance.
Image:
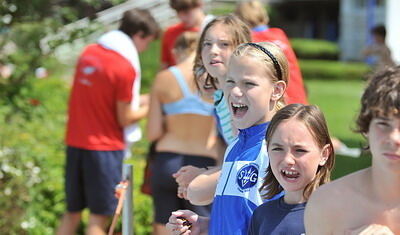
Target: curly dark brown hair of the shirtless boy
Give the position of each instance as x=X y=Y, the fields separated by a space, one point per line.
x=381 y=98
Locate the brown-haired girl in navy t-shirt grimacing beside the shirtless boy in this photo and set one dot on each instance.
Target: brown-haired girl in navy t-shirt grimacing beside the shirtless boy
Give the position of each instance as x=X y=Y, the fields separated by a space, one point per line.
x=301 y=159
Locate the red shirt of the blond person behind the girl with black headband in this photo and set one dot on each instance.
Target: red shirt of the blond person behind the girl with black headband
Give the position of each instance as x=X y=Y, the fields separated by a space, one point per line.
x=295 y=92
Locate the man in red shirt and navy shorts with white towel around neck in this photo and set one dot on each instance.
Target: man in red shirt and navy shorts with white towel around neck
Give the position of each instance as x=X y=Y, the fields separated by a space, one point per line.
x=99 y=108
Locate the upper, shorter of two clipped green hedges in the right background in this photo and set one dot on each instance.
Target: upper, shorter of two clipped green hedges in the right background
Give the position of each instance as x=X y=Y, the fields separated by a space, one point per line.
x=315 y=49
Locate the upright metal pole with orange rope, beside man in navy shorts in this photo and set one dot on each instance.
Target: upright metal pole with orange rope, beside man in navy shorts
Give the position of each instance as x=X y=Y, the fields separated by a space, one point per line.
x=127 y=211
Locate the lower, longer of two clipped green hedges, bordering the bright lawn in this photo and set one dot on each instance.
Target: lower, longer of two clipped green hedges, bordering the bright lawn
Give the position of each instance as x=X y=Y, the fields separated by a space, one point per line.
x=334 y=70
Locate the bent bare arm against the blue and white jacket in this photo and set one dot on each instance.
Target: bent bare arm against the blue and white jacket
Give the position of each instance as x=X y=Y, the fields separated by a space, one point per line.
x=201 y=190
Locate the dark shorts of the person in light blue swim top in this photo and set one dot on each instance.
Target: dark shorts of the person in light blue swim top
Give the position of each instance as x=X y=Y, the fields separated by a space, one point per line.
x=164 y=187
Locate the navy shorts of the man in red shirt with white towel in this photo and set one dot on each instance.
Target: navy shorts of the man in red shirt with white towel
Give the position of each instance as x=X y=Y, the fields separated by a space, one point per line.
x=90 y=180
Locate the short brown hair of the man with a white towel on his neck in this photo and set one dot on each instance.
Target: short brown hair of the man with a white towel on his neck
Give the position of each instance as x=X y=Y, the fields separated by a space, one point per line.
x=139 y=21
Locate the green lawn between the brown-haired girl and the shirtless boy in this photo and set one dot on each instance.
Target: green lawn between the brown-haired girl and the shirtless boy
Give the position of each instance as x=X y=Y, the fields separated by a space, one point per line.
x=339 y=100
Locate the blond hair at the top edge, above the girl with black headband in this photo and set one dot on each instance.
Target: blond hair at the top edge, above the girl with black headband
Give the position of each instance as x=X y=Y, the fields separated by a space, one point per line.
x=252 y=12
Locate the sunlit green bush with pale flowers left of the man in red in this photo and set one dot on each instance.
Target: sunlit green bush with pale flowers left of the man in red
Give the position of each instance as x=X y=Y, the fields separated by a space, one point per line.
x=31 y=162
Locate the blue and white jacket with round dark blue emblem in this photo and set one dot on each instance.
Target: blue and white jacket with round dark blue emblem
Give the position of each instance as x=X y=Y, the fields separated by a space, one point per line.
x=237 y=194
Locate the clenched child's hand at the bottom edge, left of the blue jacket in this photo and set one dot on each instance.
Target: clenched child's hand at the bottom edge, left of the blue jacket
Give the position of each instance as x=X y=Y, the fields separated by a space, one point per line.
x=183 y=222
